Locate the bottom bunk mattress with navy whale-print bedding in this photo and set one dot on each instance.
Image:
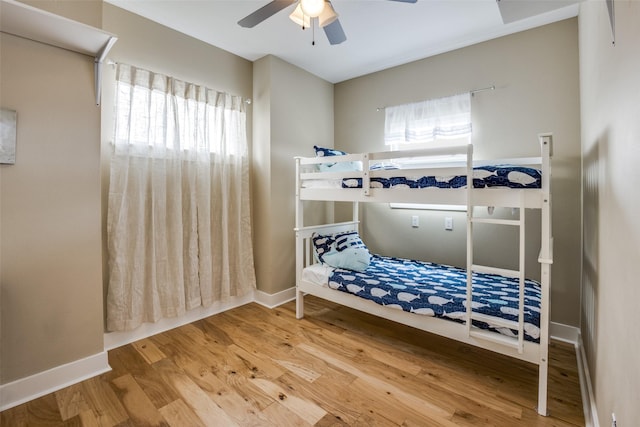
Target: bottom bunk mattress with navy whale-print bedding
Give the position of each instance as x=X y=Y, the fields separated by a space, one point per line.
x=435 y=290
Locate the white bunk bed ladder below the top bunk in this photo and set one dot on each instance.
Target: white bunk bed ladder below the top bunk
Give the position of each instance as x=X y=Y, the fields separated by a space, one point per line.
x=515 y=342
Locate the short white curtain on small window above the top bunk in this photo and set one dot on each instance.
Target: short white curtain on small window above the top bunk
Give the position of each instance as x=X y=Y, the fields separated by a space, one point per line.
x=425 y=121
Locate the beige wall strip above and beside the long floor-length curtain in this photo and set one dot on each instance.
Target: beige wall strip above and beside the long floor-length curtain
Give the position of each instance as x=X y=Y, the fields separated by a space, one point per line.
x=146 y=44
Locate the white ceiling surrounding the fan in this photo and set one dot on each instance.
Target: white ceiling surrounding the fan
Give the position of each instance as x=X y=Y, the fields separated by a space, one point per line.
x=380 y=33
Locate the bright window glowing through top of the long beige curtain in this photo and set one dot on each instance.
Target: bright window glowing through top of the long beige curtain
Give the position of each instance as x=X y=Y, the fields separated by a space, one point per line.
x=172 y=116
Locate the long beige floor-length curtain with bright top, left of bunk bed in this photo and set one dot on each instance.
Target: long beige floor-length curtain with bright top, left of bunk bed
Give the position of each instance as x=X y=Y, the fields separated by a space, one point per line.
x=178 y=224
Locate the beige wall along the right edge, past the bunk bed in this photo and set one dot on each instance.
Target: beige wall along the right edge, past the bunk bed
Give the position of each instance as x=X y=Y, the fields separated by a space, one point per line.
x=610 y=87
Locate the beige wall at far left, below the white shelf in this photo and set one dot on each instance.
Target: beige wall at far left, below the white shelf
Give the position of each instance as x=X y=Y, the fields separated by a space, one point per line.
x=50 y=269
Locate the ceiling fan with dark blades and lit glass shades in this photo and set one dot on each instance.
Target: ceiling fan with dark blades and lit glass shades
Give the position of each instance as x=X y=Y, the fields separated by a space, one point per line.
x=305 y=11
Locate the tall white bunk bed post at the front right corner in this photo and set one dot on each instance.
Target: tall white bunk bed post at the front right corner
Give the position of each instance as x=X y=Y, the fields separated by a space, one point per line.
x=545 y=259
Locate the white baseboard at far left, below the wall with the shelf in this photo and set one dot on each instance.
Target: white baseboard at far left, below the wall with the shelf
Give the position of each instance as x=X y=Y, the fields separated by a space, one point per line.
x=37 y=385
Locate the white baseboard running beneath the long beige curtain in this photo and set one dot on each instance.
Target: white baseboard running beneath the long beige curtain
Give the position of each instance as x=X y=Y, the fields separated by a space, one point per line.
x=117 y=339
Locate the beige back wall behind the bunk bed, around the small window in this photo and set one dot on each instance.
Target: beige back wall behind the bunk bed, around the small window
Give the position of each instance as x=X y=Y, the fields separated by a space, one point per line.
x=536 y=77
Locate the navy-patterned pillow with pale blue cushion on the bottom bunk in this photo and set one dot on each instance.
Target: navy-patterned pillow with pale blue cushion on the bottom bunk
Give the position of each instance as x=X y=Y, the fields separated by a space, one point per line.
x=342 y=250
